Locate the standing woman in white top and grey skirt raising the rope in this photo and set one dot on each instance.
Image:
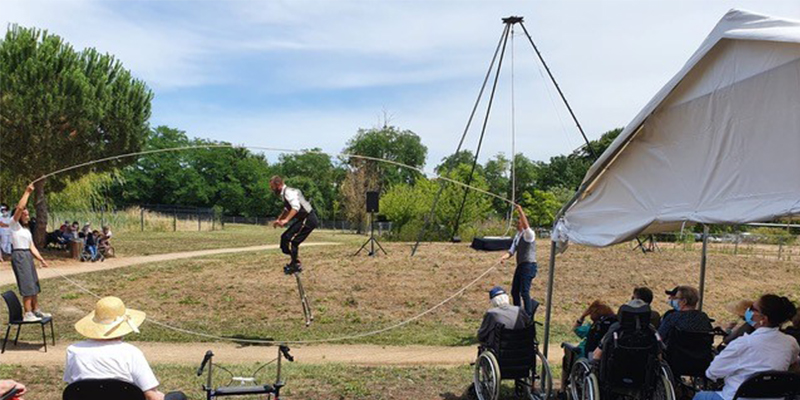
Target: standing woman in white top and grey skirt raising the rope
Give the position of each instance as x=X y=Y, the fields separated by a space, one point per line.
x=22 y=260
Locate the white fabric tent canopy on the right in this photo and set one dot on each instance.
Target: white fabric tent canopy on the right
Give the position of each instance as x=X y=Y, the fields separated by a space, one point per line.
x=720 y=143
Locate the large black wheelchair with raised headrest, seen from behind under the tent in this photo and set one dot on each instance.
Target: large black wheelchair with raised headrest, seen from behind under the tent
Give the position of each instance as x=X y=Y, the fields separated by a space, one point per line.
x=630 y=367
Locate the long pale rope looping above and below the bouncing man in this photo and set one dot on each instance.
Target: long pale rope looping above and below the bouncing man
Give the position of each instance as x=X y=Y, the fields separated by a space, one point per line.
x=264 y=341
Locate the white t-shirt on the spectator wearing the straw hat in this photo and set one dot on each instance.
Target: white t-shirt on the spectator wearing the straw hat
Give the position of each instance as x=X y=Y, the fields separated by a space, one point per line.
x=97 y=359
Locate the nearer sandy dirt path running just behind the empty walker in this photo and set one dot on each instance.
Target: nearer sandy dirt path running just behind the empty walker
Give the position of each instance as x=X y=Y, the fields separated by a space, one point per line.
x=229 y=353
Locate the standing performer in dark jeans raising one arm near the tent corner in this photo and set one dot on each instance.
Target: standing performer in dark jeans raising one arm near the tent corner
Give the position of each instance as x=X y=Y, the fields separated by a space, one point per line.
x=524 y=247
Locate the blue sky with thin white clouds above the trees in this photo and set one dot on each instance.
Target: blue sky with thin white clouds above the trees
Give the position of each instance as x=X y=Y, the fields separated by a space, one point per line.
x=301 y=74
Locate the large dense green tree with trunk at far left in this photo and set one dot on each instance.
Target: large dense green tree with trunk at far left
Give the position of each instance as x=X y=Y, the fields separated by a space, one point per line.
x=60 y=107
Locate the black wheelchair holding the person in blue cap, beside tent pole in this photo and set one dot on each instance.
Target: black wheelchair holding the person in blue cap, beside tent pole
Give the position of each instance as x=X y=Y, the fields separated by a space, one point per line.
x=515 y=356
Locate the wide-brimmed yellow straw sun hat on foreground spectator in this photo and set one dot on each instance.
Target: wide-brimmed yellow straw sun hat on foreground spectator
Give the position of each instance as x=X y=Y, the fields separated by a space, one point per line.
x=110 y=320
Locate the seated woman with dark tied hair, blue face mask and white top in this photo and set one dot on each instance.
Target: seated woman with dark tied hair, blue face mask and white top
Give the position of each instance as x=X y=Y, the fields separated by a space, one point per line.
x=765 y=349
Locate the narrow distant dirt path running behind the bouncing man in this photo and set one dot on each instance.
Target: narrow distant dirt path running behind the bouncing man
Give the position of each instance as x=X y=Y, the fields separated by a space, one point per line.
x=76 y=267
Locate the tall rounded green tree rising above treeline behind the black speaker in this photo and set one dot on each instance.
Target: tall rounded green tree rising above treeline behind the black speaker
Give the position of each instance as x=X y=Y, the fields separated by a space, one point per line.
x=389 y=143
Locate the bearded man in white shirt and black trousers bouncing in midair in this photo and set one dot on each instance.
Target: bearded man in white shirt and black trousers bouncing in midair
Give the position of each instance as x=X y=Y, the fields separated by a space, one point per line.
x=295 y=206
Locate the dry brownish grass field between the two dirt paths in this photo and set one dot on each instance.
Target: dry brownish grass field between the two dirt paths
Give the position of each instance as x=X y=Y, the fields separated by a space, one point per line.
x=248 y=295
